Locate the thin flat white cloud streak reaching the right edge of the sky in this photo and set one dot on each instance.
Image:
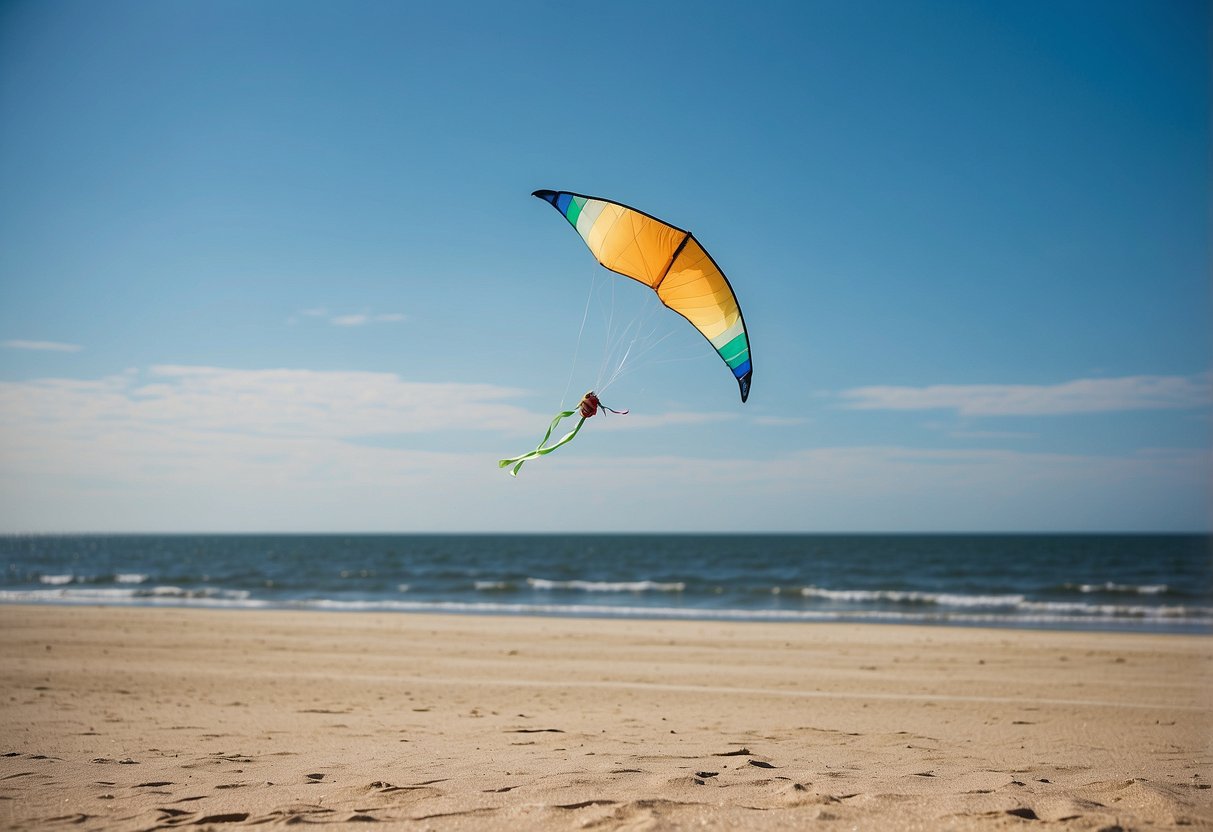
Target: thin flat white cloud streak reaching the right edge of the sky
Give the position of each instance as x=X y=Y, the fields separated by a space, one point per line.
x=1083 y=396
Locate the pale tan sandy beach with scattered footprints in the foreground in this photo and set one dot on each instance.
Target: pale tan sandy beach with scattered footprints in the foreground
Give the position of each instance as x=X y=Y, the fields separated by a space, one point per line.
x=157 y=719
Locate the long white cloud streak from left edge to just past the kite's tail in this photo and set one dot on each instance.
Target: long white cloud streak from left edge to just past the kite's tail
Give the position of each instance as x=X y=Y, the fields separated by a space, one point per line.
x=284 y=403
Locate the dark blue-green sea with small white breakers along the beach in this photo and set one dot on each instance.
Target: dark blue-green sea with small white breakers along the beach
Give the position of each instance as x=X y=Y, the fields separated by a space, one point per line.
x=1124 y=583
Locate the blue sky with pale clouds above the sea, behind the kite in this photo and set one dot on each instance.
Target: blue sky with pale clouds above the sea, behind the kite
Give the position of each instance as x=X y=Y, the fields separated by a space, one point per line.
x=276 y=266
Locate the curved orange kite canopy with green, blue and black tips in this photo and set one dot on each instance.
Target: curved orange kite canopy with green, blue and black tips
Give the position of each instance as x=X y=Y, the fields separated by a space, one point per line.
x=669 y=261
